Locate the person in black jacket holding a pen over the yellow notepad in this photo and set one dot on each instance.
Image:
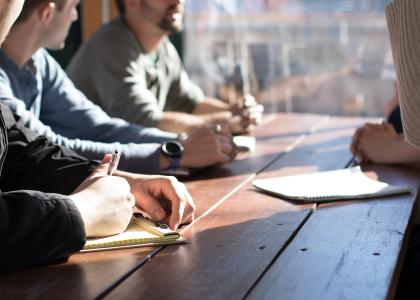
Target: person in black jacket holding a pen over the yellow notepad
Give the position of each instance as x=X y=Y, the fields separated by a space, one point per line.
x=51 y=199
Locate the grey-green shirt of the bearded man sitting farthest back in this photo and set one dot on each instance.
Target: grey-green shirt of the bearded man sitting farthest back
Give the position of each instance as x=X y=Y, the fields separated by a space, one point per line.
x=114 y=71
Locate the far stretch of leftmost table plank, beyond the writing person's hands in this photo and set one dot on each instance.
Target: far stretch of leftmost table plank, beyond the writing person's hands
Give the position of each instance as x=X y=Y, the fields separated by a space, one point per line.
x=274 y=139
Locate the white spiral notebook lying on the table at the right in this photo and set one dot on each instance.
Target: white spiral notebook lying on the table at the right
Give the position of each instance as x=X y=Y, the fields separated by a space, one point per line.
x=342 y=184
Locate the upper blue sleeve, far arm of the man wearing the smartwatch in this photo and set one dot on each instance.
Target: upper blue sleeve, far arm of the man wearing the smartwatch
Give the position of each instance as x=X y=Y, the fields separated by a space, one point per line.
x=74 y=116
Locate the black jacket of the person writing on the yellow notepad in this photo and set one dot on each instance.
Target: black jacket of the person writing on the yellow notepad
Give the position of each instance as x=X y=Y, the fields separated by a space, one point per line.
x=38 y=223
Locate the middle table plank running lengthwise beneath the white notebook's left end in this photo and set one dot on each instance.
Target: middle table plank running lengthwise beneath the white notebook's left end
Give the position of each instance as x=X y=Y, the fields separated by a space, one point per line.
x=233 y=245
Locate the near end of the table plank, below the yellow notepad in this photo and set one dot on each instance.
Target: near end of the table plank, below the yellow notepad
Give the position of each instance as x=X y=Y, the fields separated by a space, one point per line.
x=81 y=278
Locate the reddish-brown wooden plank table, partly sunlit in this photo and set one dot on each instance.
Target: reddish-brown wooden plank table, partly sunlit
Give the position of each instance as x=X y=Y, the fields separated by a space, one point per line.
x=245 y=244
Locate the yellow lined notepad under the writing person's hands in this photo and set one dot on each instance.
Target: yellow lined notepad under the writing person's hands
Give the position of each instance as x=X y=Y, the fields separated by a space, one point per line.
x=140 y=232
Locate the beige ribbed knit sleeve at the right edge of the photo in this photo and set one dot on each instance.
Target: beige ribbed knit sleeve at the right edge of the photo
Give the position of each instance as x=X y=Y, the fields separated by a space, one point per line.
x=404 y=30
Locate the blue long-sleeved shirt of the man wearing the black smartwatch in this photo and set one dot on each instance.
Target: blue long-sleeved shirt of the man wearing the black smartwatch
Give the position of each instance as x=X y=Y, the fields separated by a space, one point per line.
x=45 y=98
